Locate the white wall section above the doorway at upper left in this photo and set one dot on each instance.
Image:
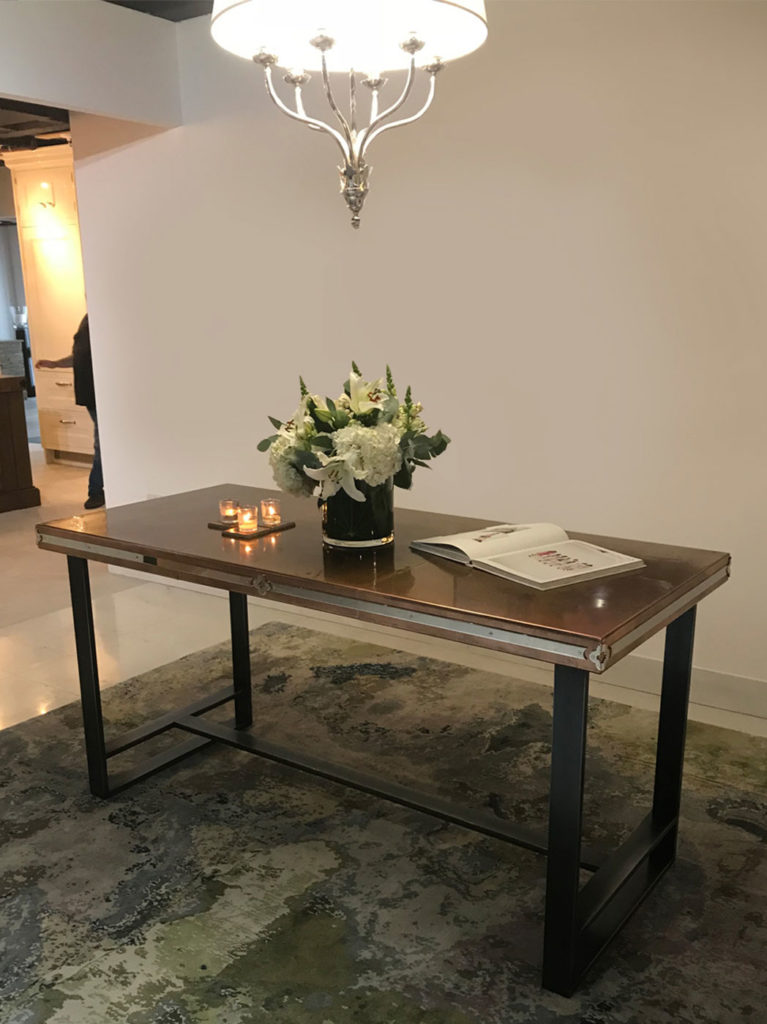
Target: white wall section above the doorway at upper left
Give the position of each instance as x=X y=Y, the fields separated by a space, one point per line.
x=84 y=56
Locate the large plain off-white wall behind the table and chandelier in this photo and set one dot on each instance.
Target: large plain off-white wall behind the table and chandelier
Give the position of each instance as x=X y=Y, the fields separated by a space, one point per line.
x=566 y=259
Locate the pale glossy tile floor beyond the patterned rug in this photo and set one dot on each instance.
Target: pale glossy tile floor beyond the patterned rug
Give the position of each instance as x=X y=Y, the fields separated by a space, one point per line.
x=142 y=625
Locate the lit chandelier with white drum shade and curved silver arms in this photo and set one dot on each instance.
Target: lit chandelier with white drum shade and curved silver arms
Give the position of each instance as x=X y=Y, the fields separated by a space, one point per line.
x=361 y=38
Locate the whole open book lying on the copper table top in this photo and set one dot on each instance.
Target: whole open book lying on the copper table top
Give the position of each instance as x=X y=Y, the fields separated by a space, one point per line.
x=538 y=554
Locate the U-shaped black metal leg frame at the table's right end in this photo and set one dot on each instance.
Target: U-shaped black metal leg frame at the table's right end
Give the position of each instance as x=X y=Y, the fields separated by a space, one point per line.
x=582 y=921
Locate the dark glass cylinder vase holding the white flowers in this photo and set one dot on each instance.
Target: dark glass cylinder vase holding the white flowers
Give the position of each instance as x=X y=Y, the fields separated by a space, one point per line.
x=348 y=524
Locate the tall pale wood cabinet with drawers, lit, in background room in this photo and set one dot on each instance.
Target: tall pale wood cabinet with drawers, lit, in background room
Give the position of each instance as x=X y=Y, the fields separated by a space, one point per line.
x=50 y=239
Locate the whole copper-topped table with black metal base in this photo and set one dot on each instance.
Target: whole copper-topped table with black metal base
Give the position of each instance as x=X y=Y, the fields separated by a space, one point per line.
x=581 y=629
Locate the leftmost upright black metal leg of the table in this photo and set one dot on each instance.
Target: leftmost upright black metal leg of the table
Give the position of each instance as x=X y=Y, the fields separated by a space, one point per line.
x=89 y=670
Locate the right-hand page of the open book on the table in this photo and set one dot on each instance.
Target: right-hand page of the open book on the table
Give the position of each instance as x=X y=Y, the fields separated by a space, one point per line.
x=559 y=563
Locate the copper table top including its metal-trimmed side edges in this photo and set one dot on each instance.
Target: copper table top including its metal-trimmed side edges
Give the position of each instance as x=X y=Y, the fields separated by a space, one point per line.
x=590 y=624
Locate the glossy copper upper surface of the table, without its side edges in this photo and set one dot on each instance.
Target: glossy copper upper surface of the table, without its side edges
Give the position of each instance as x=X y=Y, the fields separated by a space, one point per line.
x=175 y=531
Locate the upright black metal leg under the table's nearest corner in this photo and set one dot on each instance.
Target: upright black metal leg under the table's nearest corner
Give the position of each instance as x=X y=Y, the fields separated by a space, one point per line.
x=566 y=815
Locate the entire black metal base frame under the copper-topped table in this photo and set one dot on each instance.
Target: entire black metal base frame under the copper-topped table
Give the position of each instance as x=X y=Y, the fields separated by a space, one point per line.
x=580 y=921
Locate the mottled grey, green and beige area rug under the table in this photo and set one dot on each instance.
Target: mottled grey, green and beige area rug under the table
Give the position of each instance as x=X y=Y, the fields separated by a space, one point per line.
x=228 y=890
